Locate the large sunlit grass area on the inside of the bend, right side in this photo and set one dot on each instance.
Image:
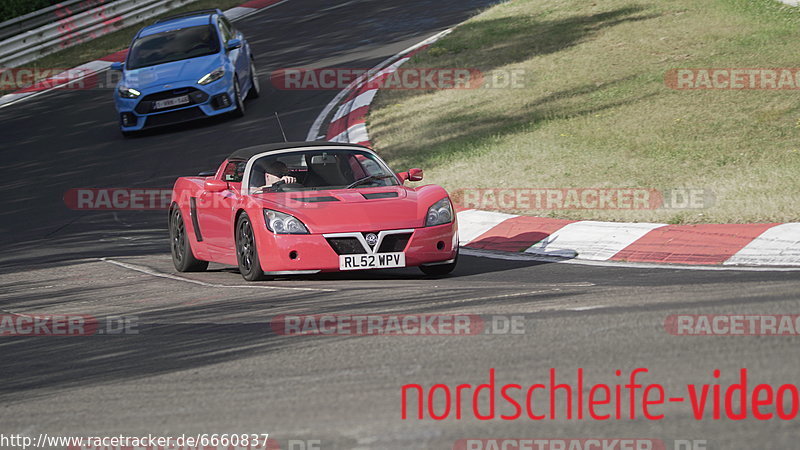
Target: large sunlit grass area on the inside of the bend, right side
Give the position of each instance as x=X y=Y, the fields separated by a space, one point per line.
x=594 y=110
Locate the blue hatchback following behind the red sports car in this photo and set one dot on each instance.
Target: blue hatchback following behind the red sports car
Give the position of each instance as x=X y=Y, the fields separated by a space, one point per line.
x=185 y=67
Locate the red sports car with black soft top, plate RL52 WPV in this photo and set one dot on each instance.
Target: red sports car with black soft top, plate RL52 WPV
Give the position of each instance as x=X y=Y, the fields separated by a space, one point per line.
x=308 y=207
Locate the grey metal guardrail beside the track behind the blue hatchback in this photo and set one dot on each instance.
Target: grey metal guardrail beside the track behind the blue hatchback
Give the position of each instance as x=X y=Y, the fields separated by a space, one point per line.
x=102 y=17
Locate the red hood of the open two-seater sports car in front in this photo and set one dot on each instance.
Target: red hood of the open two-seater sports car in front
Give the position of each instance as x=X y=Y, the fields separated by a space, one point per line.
x=338 y=211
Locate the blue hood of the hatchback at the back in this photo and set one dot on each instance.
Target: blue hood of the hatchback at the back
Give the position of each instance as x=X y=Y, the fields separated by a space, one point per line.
x=185 y=70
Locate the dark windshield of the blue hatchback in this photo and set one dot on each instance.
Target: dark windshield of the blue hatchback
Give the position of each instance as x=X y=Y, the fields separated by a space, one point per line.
x=173 y=45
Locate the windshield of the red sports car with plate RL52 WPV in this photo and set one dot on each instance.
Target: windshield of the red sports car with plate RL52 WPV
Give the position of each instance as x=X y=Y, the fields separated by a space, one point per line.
x=317 y=170
